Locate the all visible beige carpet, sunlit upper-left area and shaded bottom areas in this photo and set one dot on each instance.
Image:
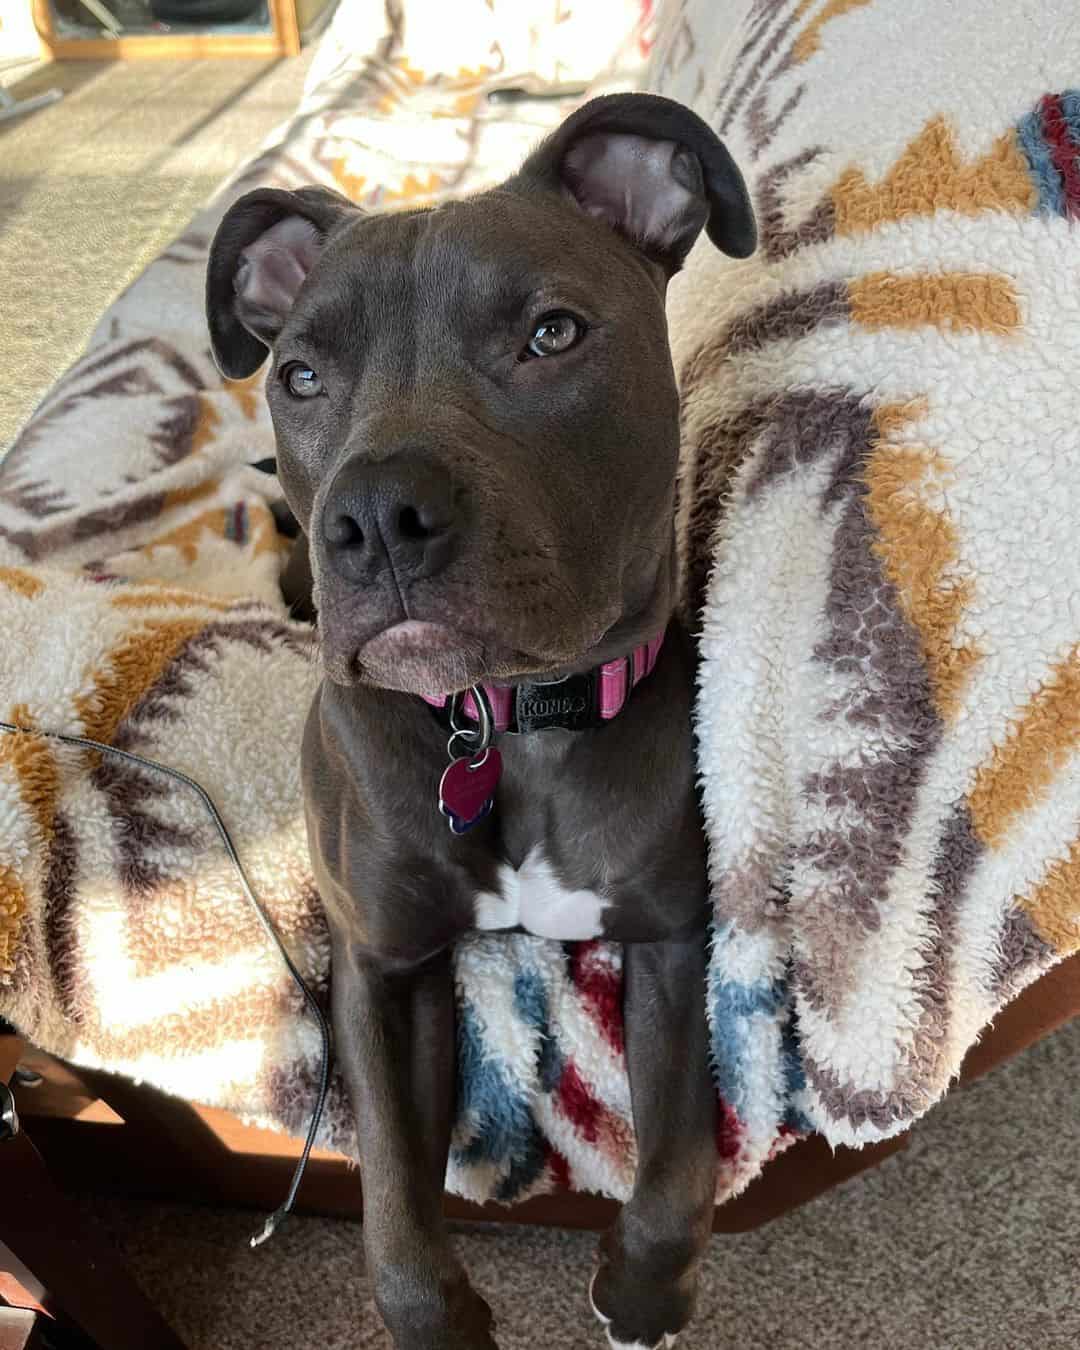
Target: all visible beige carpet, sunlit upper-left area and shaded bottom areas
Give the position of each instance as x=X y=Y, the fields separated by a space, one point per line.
x=969 y=1241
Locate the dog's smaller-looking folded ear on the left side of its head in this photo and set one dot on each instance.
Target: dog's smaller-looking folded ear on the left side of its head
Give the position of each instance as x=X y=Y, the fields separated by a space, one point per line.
x=261 y=254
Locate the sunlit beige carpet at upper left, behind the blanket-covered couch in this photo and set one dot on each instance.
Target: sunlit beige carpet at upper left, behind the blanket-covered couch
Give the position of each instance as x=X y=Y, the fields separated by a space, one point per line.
x=94 y=188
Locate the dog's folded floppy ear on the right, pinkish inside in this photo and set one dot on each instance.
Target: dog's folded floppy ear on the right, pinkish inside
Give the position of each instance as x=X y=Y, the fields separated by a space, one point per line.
x=653 y=171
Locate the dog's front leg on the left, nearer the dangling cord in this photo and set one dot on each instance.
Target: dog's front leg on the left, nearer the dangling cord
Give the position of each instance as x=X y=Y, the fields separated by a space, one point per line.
x=395 y=1036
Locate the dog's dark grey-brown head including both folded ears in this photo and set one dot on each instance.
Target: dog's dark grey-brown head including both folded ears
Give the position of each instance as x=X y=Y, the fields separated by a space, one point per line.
x=476 y=411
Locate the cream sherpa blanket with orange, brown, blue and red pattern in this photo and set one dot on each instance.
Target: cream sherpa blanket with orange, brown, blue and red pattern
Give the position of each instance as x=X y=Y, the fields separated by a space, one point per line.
x=882 y=469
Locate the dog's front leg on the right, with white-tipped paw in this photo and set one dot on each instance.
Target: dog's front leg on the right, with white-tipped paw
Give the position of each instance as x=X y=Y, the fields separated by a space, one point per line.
x=646 y=1283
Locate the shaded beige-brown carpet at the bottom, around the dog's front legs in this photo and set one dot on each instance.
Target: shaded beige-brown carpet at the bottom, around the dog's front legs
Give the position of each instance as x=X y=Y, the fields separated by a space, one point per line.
x=971 y=1241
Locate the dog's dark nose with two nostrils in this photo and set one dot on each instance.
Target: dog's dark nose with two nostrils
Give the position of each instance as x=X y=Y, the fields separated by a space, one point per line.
x=396 y=514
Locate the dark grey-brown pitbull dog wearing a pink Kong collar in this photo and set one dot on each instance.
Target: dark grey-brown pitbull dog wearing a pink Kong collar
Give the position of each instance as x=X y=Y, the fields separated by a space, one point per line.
x=479 y=431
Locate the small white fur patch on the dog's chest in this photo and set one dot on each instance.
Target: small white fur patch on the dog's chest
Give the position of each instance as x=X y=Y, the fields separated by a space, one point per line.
x=534 y=898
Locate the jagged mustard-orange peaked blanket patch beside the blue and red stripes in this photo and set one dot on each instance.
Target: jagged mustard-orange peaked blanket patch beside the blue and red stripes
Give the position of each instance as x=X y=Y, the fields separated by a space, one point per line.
x=932 y=176
